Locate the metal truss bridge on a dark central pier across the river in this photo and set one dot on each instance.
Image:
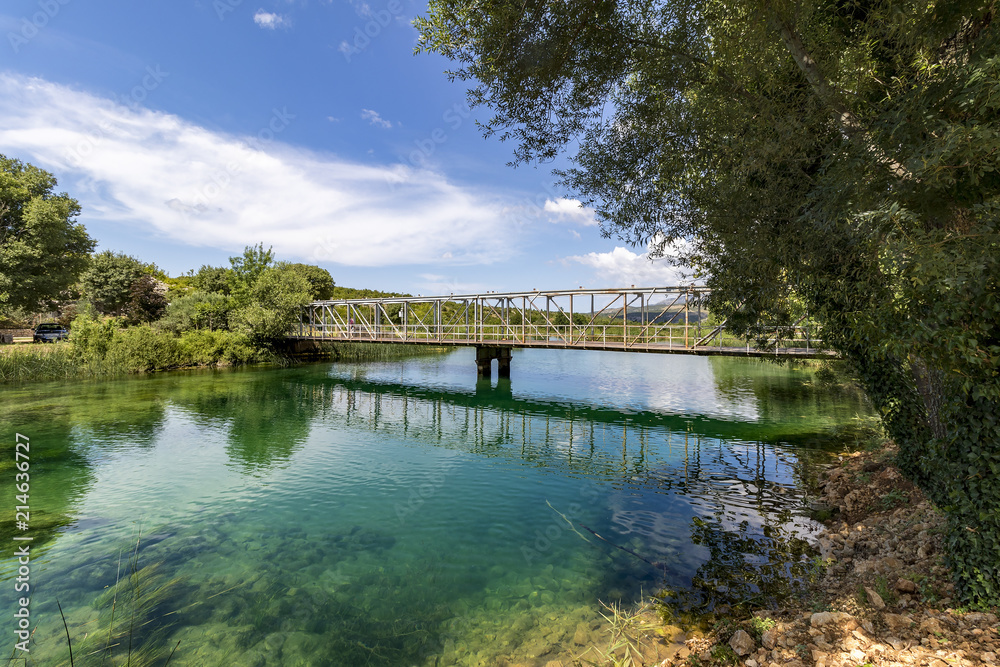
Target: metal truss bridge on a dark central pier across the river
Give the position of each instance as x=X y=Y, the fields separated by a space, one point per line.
x=667 y=320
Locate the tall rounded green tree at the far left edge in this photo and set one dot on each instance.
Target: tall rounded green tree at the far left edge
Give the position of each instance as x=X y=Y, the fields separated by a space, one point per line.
x=43 y=250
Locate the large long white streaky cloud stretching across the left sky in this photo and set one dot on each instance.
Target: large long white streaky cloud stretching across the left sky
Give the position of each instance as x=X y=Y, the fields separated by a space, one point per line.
x=137 y=167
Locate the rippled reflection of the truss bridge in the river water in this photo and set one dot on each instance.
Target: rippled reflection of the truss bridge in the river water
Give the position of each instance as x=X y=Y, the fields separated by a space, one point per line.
x=715 y=461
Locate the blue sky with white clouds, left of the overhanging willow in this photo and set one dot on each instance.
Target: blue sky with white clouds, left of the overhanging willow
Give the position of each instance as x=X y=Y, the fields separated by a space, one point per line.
x=191 y=128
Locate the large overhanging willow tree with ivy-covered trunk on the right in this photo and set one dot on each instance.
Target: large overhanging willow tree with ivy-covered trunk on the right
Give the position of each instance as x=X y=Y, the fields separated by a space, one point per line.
x=840 y=156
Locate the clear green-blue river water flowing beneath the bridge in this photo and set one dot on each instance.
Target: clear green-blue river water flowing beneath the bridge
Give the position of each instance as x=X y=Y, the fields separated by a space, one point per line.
x=398 y=513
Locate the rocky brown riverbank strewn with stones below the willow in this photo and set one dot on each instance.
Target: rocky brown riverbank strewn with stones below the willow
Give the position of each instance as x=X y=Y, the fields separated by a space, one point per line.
x=885 y=599
